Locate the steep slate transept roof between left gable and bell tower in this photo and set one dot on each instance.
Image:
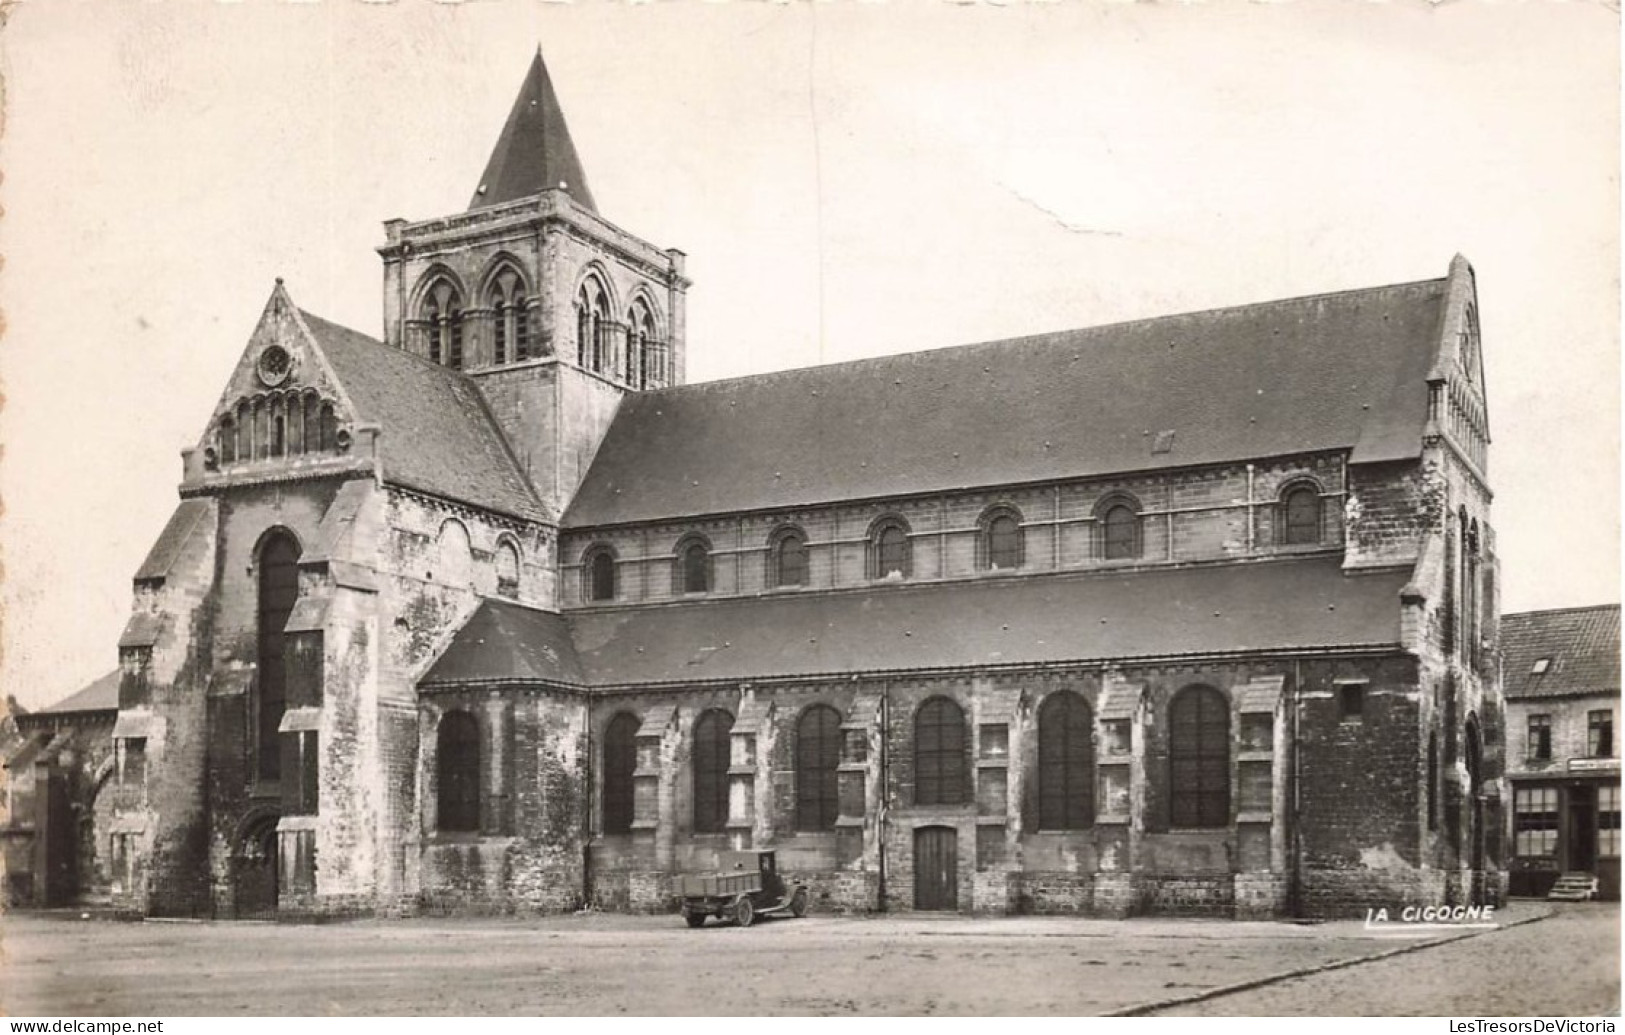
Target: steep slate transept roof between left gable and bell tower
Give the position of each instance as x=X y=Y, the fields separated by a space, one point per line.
x=438 y=435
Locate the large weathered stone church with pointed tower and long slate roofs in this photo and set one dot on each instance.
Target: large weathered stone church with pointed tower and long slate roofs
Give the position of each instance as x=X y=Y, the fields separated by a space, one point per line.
x=1194 y=615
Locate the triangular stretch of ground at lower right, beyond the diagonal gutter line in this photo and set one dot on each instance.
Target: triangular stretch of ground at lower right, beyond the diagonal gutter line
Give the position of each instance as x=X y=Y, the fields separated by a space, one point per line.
x=1567 y=966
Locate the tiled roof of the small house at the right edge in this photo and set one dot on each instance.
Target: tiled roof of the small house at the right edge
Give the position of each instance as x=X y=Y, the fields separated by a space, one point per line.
x=1584 y=646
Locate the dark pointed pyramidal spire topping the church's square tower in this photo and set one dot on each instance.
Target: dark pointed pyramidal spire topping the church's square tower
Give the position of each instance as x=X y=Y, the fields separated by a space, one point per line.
x=535 y=152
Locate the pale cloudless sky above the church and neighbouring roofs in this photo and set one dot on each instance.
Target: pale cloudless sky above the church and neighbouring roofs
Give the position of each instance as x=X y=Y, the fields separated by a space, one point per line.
x=847 y=181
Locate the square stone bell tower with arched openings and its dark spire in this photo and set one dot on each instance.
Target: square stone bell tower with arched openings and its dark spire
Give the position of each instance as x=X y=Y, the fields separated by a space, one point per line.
x=550 y=308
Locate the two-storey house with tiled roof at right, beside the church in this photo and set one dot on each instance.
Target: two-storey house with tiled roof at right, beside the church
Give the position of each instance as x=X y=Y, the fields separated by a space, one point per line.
x=1562 y=678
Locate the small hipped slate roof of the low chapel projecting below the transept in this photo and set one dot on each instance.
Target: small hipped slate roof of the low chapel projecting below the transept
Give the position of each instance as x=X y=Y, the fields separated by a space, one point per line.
x=505 y=641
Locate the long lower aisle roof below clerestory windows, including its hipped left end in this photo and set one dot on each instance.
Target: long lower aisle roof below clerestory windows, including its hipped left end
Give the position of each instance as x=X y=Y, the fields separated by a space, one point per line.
x=1005 y=621
